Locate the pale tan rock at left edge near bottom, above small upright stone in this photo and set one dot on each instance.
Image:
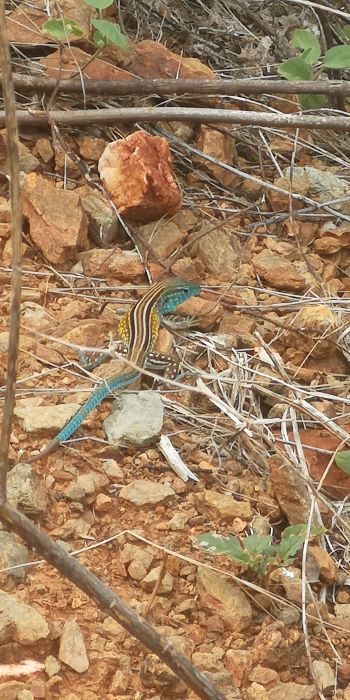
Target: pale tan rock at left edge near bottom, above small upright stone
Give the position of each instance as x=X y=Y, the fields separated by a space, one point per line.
x=30 y=625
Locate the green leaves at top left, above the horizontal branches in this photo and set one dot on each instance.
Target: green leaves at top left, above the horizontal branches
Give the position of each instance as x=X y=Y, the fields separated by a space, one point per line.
x=106 y=32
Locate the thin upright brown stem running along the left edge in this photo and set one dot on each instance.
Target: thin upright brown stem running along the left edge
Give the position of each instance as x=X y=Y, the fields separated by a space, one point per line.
x=16 y=235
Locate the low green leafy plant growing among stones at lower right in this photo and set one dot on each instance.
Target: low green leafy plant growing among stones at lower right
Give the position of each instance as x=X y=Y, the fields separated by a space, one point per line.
x=257 y=551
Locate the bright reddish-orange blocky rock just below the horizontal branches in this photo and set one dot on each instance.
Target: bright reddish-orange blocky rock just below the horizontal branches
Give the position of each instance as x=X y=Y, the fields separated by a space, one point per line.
x=137 y=174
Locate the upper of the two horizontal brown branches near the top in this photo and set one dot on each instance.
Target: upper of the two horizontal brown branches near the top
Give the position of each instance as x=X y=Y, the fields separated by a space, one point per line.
x=138 y=86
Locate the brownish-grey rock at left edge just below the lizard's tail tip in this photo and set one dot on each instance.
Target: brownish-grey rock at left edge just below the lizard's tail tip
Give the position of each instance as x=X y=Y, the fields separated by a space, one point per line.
x=26 y=490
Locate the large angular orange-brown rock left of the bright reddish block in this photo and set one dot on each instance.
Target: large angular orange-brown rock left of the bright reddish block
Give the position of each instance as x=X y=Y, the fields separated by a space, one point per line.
x=57 y=221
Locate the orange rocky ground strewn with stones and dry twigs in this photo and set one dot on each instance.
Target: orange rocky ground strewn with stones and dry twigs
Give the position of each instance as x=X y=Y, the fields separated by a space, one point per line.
x=260 y=406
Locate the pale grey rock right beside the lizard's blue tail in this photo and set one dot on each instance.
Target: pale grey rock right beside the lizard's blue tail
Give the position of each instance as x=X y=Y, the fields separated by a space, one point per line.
x=135 y=419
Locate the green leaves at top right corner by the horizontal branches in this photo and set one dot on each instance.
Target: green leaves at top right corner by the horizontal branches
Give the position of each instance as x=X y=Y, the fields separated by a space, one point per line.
x=302 y=67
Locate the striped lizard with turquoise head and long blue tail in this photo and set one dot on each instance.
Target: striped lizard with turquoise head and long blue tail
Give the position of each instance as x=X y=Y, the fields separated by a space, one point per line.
x=139 y=329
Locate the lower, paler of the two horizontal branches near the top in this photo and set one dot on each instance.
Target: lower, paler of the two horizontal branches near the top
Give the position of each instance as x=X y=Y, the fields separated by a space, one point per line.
x=77 y=117
